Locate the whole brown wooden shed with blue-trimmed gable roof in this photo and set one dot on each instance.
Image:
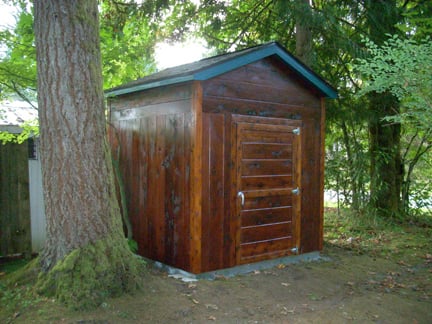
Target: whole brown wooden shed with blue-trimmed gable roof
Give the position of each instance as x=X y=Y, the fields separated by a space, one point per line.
x=223 y=159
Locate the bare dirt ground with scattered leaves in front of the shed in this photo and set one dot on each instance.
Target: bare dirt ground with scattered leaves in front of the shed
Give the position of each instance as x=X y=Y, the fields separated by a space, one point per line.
x=344 y=287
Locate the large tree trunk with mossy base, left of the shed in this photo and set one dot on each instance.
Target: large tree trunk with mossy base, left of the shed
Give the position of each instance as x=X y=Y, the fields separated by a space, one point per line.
x=86 y=255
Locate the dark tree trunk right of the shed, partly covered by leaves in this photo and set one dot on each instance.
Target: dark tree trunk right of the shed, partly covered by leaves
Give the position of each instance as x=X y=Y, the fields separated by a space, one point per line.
x=386 y=168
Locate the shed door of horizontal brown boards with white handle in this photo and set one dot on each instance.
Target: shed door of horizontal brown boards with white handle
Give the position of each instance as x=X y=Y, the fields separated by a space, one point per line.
x=267 y=201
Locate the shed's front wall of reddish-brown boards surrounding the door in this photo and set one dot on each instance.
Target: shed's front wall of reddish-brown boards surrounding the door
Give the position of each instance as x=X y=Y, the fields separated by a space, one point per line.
x=264 y=89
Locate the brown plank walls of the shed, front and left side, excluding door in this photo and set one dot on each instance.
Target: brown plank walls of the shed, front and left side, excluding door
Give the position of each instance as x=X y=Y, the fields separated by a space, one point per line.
x=179 y=165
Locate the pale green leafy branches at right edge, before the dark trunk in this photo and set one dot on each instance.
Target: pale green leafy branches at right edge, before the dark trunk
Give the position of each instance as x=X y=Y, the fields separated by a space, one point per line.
x=401 y=67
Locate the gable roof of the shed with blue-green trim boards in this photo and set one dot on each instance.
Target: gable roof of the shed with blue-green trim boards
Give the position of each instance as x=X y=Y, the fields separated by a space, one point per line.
x=213 y=66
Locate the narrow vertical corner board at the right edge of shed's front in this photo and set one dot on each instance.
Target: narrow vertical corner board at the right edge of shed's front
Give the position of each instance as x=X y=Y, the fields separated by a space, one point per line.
x=322 y=160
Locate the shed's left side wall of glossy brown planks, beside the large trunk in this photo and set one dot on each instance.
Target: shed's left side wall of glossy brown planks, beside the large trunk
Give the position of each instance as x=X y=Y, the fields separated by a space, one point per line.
x=153 y=131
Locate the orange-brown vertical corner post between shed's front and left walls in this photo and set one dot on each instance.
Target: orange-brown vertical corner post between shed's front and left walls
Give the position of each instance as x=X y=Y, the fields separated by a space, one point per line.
x=196 y=179
